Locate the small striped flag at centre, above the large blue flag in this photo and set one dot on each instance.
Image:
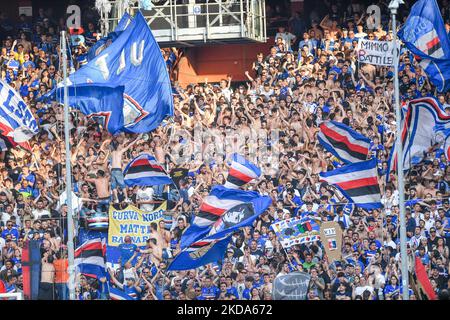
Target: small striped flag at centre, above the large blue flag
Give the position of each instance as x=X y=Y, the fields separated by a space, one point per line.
x=241 y=172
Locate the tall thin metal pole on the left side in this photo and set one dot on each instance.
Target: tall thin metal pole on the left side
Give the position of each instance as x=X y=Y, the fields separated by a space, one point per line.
x=70 y=233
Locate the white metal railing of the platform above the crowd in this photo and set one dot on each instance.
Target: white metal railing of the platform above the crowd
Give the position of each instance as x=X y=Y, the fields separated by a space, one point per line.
x=197 y=21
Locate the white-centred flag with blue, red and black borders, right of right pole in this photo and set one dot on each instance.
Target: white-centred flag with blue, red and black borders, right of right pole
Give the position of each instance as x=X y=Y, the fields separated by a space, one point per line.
x=423 y=123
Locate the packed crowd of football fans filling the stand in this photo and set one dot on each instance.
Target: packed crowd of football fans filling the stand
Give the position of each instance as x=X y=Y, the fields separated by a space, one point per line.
x=310 y=75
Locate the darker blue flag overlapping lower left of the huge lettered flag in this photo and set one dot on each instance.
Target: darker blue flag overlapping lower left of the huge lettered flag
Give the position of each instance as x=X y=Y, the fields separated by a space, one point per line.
x=97 y=102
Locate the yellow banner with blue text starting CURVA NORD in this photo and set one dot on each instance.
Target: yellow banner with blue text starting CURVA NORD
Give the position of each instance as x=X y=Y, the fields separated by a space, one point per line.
x=132 y=222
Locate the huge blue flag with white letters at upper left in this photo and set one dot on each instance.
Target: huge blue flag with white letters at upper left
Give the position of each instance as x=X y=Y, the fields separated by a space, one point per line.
x=133 y=60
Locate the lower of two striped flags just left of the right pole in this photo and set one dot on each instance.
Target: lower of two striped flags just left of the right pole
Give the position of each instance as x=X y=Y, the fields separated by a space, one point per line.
x=358 y=182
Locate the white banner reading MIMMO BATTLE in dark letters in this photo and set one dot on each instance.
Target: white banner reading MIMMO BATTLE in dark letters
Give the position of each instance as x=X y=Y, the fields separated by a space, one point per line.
x=380 y=53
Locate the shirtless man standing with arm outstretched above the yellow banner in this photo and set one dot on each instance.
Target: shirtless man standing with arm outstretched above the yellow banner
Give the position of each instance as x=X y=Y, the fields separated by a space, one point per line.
x=117 y=179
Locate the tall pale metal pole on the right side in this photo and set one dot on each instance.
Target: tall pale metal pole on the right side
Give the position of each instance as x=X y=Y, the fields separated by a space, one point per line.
x=393 y=6
